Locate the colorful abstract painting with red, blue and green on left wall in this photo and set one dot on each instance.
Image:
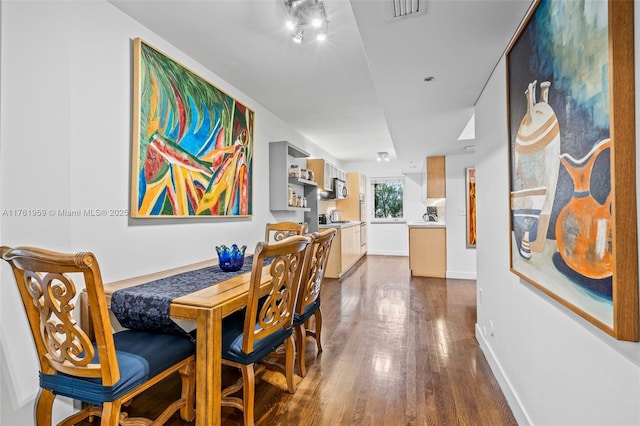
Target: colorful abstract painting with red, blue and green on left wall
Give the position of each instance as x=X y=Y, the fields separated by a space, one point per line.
x=193 y=143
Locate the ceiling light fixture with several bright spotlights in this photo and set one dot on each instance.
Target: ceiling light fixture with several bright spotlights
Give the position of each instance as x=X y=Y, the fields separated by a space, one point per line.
x=307 y=15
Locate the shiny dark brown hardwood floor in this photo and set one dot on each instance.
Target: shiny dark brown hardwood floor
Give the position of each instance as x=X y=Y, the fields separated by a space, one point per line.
x=398 y=350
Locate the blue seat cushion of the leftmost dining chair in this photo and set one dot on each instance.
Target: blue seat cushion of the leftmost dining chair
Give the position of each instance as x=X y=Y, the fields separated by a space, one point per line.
x=141 y=356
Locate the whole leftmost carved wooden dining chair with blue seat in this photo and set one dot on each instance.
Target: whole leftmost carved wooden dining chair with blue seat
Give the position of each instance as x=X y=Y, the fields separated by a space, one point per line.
x=104 y=374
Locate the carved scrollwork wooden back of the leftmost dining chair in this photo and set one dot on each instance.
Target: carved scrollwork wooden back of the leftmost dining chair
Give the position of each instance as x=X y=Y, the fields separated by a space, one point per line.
x=48 y=293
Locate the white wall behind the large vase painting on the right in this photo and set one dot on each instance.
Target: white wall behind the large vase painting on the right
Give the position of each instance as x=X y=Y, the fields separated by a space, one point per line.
x=554 y=367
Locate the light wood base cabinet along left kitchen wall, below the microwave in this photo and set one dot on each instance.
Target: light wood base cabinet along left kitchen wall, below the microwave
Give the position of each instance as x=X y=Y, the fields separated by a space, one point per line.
x=345 y=250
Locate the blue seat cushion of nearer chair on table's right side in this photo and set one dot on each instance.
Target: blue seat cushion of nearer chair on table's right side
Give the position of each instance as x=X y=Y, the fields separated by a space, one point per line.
x=233 y=333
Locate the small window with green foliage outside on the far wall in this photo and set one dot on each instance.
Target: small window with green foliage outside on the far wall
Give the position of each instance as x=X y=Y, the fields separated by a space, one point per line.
x=387 y=199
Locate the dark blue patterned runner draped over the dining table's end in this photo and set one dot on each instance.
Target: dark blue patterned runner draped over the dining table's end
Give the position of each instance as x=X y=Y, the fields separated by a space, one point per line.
x=146 y=306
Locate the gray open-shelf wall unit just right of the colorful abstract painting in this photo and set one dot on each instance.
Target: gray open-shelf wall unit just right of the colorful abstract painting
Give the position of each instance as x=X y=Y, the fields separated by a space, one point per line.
x=282 y=155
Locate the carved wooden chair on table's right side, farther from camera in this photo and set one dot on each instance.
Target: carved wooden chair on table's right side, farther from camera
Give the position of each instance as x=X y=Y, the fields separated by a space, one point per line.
x=308 y=302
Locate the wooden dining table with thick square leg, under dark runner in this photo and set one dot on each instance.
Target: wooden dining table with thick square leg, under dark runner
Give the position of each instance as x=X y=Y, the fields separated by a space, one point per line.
x=205 y=308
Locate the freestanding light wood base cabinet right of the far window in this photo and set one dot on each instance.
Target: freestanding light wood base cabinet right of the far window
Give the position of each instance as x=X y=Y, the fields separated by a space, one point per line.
x=428 y=251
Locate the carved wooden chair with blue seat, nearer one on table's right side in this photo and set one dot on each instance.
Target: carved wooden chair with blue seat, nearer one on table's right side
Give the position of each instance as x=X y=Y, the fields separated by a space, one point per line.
x=250 y=335
